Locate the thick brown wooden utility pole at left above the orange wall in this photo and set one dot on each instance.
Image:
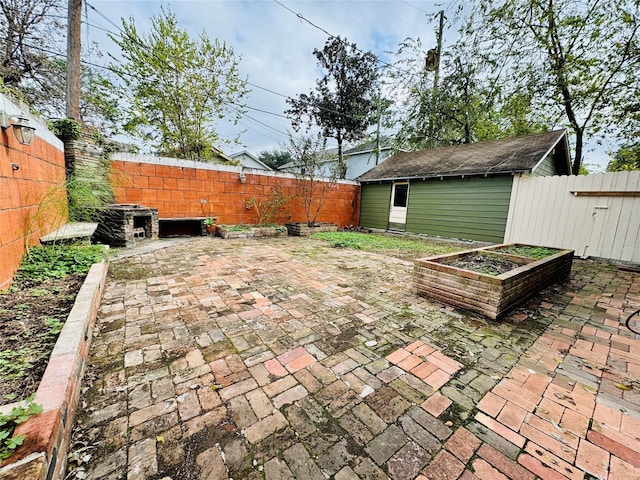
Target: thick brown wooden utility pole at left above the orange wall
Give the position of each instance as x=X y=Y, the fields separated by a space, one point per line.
x=74 y=17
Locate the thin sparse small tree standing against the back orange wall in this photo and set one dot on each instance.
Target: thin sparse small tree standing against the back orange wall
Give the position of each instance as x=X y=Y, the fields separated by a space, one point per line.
x=313 y=187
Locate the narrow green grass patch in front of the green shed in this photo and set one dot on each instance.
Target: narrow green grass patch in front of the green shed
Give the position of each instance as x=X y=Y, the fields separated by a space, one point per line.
x=405 y=247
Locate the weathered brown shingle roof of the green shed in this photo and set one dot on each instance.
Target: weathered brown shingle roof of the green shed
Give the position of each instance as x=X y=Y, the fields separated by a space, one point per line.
x=508 y=155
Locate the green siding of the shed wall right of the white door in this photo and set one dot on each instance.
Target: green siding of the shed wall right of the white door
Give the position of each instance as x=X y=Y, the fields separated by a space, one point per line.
x=473 y=208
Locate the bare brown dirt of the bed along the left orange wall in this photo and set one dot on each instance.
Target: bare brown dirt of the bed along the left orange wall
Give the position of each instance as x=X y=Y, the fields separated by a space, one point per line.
x=31 y=316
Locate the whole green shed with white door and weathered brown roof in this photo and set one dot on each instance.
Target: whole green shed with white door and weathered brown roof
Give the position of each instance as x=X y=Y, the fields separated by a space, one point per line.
x=461 y=191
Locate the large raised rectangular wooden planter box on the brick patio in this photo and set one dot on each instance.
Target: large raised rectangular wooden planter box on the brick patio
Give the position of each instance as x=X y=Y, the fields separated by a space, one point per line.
x=489 y=295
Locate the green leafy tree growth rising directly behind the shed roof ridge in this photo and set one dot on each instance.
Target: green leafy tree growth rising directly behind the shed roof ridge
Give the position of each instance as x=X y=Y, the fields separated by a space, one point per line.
x=465 y=107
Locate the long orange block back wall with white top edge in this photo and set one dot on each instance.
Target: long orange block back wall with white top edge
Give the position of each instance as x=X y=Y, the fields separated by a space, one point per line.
x=187 y=189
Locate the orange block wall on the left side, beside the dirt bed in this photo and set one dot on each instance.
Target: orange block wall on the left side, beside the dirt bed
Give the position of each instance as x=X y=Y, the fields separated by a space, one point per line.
x=33 y=200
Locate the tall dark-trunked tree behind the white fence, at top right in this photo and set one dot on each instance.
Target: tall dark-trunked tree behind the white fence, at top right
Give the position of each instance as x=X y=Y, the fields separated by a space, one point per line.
x=579 y=58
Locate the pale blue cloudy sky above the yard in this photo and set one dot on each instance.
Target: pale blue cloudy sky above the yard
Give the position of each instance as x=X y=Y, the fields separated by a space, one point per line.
x=275 y=42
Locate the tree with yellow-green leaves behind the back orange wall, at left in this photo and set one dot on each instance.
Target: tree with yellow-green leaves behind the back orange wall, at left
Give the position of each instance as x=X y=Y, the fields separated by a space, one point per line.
x=175 y=87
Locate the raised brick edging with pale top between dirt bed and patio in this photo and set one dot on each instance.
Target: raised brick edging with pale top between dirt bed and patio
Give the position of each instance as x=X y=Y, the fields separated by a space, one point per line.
x=43 y=454
